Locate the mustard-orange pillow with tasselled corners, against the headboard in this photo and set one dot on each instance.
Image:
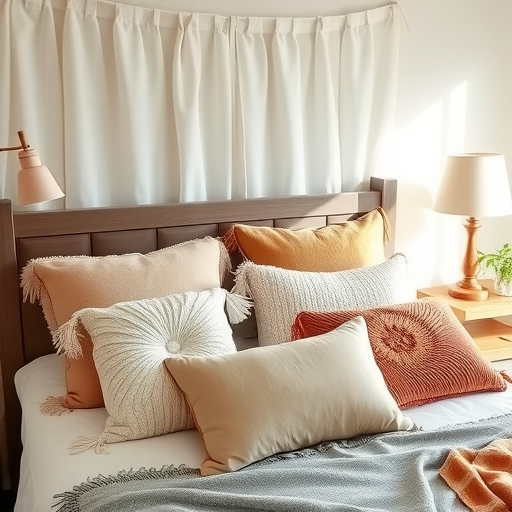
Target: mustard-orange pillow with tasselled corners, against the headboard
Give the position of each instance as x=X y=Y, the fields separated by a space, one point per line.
x=356 y=243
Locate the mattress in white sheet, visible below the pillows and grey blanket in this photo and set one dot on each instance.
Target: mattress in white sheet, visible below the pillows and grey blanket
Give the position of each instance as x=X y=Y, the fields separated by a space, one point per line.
x=48 y=469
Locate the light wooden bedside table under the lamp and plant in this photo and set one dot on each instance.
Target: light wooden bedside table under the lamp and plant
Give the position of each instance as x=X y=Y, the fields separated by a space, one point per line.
x=492 y=337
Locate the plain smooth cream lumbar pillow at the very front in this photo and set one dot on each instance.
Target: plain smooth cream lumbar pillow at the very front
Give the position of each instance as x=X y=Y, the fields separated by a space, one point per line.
x=267 y=400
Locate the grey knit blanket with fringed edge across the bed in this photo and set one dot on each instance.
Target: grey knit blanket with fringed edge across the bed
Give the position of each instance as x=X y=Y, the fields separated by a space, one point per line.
x=392 y=472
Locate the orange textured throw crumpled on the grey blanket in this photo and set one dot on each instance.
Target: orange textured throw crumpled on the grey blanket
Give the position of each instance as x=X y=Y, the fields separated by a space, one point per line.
x=482 y=478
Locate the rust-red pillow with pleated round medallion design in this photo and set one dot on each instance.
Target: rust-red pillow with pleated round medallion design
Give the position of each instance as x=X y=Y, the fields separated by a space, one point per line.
x=423 y=351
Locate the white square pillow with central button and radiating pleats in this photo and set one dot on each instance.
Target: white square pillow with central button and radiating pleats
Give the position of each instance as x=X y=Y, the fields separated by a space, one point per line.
x=131 y=341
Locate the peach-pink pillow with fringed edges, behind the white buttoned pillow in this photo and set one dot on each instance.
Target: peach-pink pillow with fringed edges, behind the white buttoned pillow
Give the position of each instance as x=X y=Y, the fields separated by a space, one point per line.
x=64 y=285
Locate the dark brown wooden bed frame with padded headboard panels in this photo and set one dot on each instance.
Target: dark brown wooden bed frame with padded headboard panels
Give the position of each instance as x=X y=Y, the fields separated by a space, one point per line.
x=24 y=335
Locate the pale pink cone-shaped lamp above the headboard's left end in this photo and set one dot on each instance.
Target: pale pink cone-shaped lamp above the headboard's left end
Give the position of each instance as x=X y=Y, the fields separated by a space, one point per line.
x=35 y=182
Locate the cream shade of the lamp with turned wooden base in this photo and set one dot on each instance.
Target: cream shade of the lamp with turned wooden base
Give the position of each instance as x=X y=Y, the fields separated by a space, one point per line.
x=475 y=185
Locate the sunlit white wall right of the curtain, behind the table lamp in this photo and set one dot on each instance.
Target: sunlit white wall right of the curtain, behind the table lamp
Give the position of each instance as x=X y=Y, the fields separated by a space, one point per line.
x=454 y=95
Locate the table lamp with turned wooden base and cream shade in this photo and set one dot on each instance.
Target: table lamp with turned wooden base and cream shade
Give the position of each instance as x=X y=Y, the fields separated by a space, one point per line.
x=474 y=185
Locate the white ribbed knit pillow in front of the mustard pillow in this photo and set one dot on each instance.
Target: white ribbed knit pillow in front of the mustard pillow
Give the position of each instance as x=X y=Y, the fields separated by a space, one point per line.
x=280 y=294
